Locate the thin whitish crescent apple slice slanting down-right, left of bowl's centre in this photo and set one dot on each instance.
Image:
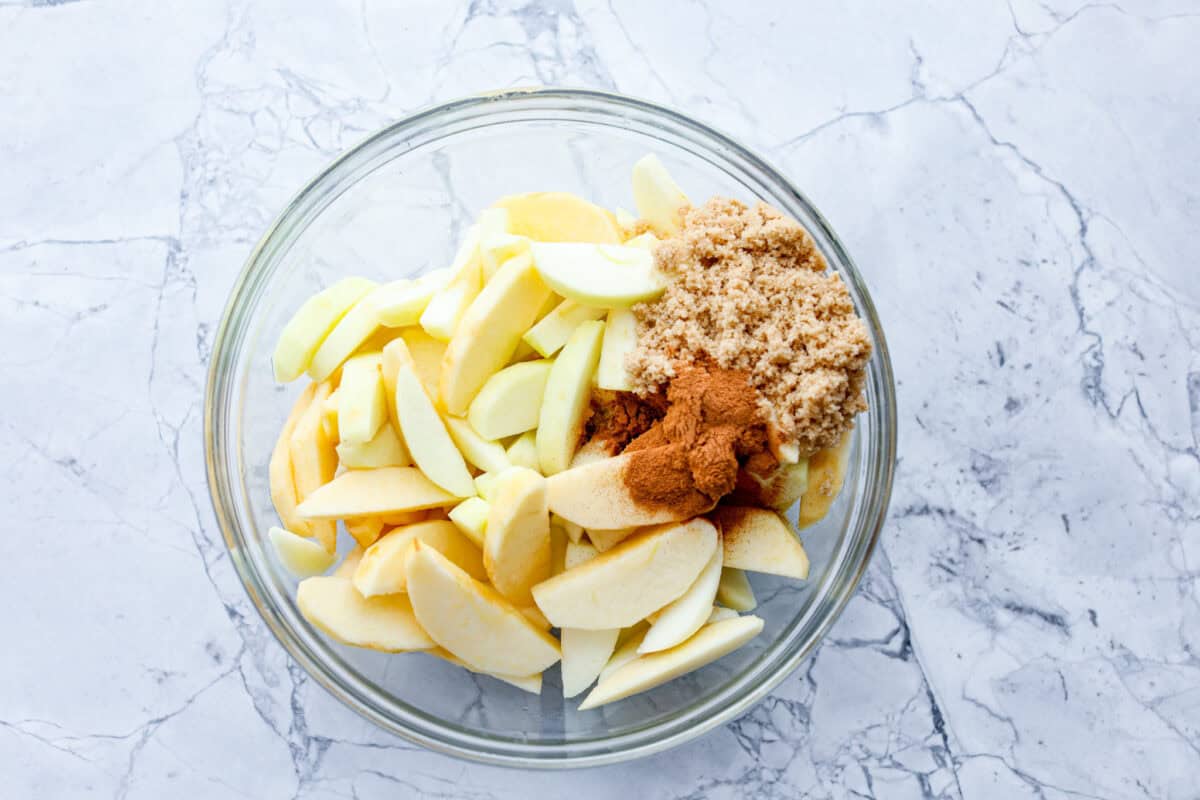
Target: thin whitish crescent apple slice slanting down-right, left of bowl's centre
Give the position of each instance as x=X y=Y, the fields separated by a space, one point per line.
x=425 y=434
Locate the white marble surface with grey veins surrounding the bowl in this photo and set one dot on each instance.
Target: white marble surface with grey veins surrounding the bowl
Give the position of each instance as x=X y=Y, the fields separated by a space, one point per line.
x=1019 y=182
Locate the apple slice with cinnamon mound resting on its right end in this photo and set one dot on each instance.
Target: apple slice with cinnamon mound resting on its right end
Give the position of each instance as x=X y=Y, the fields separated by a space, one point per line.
x=596 y=496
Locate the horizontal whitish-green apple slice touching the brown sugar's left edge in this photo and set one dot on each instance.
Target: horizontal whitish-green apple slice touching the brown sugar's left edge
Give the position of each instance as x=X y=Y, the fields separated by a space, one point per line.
x=608 y=276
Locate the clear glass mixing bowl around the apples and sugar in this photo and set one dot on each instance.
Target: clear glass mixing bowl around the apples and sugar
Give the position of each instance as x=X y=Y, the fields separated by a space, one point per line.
x=398 y=206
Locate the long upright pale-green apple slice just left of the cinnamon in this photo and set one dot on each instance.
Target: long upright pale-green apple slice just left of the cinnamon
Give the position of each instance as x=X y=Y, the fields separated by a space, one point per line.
x=568 y=398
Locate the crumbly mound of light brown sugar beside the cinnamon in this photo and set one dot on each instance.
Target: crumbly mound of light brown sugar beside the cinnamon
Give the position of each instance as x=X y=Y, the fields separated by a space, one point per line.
x=751 y=294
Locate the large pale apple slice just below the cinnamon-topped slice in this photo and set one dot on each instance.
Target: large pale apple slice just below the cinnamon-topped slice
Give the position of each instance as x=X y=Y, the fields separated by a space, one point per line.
x=635 y=579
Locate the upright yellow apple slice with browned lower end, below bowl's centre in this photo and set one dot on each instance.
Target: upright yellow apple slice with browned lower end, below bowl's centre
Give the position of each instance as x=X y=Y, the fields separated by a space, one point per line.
x=517 y=549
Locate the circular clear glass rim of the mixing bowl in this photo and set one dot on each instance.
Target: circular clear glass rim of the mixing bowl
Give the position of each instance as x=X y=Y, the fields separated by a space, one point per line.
x=880 y=376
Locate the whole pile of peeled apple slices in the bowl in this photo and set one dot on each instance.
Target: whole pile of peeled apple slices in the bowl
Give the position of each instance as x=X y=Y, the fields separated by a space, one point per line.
x=441 y=428
